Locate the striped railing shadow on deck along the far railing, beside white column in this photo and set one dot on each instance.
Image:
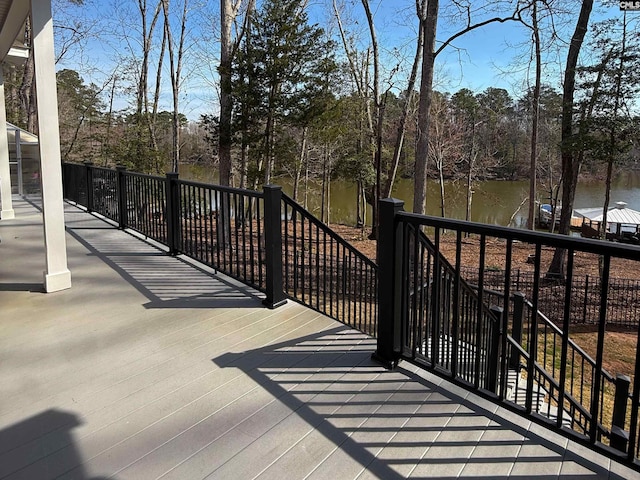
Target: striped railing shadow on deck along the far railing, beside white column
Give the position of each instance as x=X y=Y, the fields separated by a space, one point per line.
x=168 y=282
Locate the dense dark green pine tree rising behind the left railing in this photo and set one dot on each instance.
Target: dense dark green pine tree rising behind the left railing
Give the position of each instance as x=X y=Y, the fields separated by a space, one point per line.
x=281 y=73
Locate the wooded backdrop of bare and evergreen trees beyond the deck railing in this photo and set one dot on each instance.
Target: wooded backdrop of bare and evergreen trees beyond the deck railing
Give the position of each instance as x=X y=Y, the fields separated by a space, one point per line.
x=320 y=100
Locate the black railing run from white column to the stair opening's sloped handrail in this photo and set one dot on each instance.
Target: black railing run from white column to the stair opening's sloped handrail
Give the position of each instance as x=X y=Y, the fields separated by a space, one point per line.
x=264 y=239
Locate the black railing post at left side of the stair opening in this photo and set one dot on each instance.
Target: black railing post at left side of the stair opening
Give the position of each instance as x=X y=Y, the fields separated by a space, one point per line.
x=273 y=246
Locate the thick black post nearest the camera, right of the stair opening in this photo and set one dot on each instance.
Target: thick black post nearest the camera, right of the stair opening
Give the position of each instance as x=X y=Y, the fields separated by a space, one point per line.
x=389 y=256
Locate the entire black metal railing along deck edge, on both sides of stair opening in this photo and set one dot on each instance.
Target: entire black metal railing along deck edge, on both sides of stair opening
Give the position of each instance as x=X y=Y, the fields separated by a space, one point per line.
x=444 y=313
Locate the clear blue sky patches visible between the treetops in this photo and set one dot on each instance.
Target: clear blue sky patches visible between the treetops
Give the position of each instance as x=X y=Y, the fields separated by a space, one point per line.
x=492 y=56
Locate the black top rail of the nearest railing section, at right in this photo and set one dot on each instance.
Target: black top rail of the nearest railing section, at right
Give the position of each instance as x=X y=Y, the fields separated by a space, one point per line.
x=629 y=252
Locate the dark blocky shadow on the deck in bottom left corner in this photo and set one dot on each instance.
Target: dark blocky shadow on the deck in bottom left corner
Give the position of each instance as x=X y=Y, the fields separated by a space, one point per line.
x=13 y=437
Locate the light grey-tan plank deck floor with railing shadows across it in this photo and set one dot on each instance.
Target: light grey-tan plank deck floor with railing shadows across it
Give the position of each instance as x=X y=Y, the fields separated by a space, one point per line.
x=150 y=367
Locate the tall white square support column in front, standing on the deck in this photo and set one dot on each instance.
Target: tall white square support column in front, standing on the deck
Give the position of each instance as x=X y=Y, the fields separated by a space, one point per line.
x=57 y=275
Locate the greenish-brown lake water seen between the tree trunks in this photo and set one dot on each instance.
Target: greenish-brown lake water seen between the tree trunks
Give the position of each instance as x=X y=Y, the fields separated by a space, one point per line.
x=494 y=201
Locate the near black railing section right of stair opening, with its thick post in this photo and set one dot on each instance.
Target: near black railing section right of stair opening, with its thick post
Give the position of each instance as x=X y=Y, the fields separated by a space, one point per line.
x=431 y=314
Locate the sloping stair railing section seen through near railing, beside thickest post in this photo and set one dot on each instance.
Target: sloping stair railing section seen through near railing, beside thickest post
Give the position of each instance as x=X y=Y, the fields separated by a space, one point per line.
x=448 y=325
